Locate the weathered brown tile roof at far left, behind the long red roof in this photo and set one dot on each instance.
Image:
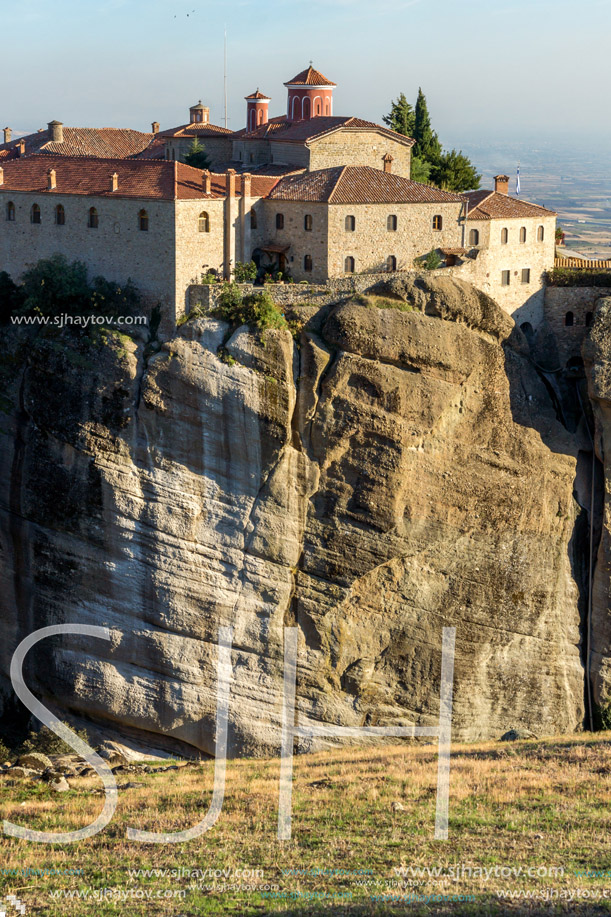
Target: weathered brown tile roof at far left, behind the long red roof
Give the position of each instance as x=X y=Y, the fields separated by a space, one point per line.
x=105 y=142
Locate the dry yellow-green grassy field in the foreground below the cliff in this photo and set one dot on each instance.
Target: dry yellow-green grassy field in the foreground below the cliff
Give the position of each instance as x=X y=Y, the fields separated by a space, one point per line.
x=363 y=837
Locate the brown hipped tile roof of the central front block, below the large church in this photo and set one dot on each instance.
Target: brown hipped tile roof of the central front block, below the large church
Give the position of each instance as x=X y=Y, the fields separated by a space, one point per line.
x=358 y=185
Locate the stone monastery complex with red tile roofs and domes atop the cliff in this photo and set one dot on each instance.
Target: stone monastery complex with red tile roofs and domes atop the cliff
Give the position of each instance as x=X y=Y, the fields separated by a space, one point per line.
x=308 y=193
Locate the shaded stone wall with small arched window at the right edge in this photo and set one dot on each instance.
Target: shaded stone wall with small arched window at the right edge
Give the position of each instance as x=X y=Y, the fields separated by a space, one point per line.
x=579 y=301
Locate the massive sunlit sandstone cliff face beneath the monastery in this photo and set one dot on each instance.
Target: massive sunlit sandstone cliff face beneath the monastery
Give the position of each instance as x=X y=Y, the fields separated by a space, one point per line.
x=391 y=473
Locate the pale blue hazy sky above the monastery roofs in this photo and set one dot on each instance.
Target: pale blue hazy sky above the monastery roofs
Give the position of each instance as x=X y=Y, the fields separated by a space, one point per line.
x=492 y=70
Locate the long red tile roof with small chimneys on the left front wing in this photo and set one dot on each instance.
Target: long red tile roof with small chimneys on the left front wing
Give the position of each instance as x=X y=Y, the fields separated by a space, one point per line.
x=137 y=178
